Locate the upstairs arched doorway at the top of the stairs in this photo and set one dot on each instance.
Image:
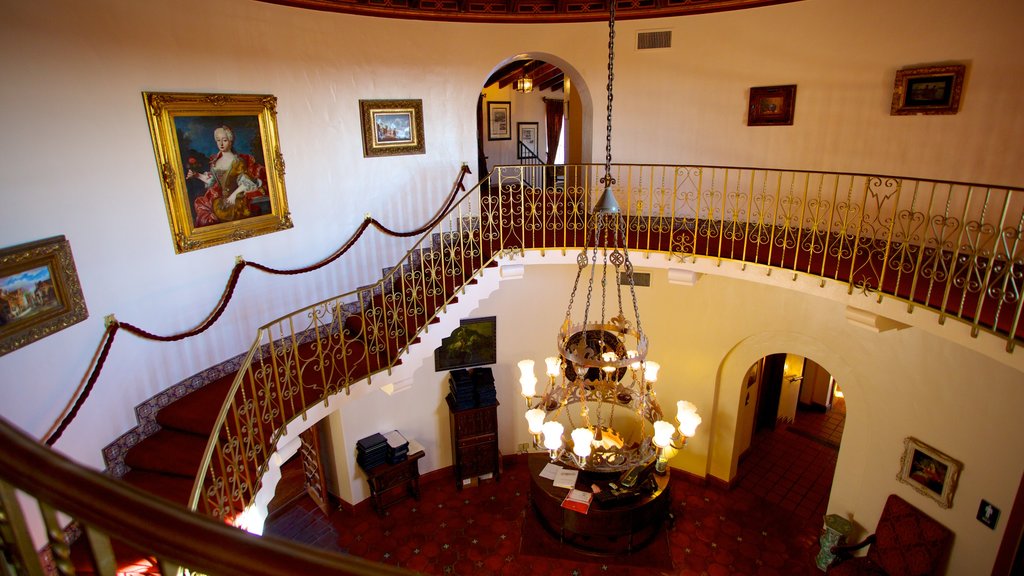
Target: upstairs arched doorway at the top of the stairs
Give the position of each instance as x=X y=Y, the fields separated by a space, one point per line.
x=517 y=127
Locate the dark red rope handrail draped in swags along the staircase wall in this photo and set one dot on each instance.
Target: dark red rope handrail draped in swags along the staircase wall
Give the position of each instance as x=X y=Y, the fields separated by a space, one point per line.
x=113 y=325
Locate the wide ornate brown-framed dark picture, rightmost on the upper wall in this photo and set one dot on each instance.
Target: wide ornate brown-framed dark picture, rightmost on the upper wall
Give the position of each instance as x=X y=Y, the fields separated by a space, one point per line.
x=934 y=90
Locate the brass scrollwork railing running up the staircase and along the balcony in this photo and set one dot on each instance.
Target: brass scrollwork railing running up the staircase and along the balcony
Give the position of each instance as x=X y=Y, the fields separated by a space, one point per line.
x=951 y=248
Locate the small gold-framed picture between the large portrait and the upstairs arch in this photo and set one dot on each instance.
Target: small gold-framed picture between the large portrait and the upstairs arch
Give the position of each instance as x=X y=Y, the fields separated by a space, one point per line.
x=393 y=128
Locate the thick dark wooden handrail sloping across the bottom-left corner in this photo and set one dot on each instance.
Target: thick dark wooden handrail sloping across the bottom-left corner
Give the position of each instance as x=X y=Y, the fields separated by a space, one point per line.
x=177 y=537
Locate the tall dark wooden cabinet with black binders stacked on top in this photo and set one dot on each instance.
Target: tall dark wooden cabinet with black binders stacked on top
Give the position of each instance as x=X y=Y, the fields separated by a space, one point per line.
x=475 y=442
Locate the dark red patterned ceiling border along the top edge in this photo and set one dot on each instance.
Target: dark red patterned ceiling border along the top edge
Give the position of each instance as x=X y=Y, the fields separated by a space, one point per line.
x=524 y=12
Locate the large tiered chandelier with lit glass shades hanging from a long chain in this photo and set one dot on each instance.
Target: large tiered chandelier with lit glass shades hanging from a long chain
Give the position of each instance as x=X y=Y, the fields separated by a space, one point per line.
x=601 y=387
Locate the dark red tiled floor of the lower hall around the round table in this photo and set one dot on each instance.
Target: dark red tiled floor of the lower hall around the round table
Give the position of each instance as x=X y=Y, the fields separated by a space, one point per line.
x=767 y=524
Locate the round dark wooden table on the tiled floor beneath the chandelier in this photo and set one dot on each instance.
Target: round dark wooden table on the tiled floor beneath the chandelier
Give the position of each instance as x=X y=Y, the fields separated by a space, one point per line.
x=612 y=527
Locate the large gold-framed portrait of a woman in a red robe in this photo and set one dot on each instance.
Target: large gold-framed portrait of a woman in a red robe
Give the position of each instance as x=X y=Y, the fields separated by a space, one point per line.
x=221 y=167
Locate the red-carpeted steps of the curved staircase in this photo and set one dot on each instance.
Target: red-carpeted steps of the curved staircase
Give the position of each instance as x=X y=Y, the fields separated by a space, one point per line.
x=167 y=463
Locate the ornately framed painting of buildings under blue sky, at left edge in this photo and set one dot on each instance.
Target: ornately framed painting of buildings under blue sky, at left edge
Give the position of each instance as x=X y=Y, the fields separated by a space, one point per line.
x=39 y=293
